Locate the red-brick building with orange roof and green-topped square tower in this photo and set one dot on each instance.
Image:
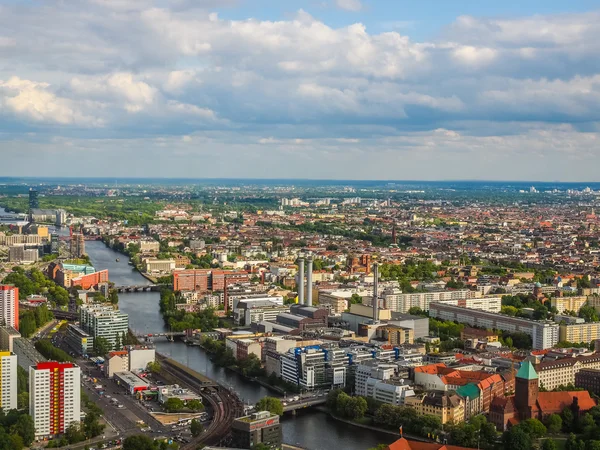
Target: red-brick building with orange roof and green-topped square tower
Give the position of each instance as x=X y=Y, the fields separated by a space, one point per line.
x=529 y=403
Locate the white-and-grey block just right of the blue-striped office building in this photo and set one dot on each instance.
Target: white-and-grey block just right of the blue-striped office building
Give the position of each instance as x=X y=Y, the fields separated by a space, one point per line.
x=380 y=381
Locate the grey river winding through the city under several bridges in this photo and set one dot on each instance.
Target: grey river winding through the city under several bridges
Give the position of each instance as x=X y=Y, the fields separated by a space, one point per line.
x=310 y=429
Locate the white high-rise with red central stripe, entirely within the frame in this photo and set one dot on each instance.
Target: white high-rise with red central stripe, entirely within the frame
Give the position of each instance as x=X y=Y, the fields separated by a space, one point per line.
x=54 y=397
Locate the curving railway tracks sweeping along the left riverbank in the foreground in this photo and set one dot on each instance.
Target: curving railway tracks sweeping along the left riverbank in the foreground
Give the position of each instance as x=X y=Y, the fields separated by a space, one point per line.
x=224 y=404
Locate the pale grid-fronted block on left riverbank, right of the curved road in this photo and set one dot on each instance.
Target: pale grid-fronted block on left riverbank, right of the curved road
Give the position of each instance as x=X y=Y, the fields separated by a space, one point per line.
x=103 y=321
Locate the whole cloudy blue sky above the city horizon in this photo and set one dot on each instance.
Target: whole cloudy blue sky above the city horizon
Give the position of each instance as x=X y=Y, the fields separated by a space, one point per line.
x=323 y=89
